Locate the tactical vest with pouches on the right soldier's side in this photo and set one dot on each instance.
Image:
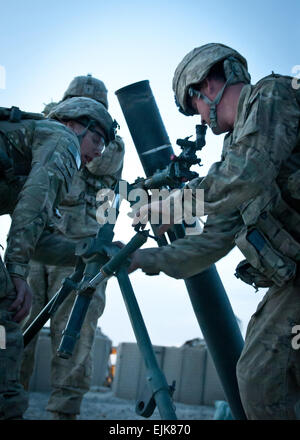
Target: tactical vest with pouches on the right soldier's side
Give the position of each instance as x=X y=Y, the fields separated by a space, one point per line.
x=270 y=239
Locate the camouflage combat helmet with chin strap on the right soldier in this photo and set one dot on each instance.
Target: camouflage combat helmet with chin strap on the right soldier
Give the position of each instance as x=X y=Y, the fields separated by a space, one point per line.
x=195 y=67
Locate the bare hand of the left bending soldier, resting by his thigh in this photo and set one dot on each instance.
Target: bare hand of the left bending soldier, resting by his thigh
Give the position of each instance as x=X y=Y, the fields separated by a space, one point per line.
x=22 y=303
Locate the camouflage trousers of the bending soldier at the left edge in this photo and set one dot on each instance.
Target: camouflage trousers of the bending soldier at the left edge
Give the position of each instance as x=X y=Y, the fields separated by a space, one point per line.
x=13 y=398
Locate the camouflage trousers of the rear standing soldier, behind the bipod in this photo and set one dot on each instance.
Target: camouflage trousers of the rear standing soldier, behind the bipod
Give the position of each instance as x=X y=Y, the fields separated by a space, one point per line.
x=70 y=378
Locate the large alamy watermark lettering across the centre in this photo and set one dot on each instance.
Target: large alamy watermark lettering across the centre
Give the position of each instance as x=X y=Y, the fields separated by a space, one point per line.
x=179 y=205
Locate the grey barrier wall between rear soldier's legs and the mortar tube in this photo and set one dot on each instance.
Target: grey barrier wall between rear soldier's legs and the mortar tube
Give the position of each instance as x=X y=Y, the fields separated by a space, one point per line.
x=197 y=382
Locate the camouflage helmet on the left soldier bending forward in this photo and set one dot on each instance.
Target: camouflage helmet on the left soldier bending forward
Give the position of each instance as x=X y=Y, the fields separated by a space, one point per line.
x=88 y=112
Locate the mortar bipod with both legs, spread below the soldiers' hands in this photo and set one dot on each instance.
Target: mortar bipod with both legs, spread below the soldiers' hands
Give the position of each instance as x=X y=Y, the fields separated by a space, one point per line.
x=161 y=392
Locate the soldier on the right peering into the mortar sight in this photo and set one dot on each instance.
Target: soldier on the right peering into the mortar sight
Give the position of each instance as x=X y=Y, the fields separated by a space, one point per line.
x=251 y=197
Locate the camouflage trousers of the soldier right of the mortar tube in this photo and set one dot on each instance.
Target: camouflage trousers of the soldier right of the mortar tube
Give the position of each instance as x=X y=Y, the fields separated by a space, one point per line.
x=268 y=370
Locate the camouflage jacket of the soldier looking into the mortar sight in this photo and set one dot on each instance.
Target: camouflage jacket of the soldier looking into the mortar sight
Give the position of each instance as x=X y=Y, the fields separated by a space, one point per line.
x=260 y=156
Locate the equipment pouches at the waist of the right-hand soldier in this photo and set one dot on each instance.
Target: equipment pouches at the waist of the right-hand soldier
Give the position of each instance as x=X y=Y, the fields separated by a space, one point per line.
x=270 y=244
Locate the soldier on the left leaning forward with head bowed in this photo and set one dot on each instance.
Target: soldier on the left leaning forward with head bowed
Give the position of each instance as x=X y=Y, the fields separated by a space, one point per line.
x=38 y=159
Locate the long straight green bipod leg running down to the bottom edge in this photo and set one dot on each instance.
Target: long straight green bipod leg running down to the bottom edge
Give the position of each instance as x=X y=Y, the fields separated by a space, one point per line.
x=155 y=377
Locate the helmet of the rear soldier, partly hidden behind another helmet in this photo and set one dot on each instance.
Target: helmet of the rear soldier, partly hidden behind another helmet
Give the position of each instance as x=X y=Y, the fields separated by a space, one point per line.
x=89 y=87
